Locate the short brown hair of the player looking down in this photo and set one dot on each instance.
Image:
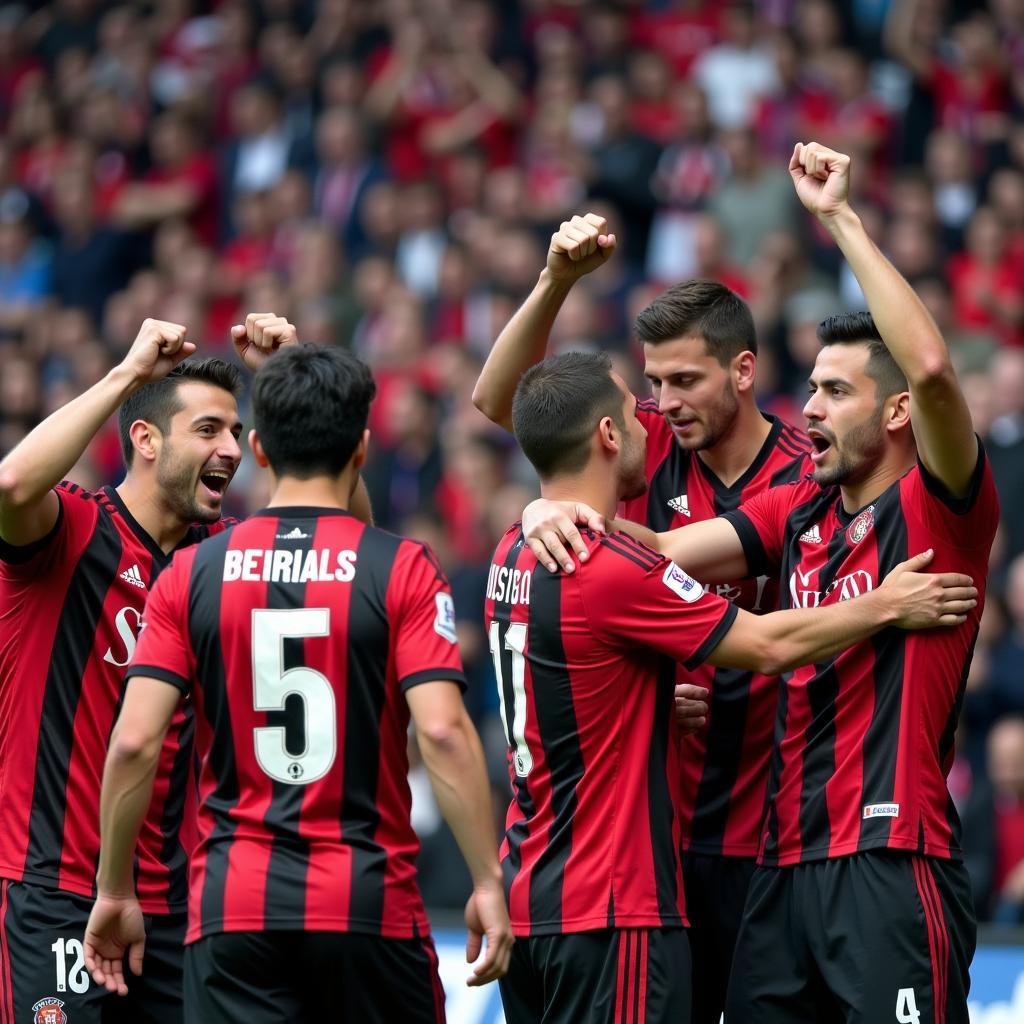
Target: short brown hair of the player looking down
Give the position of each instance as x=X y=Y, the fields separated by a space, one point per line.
x=705 y=309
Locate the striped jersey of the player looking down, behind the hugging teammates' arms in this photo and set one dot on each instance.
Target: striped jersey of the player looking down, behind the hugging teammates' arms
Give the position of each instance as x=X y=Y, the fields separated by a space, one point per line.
x=724 y=766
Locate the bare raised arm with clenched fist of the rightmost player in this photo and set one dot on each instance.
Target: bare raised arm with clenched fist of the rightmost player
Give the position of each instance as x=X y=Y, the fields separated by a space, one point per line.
x=938 y=411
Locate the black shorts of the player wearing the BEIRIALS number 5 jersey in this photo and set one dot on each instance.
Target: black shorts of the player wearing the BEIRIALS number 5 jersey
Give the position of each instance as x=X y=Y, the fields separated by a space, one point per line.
x=297 y=977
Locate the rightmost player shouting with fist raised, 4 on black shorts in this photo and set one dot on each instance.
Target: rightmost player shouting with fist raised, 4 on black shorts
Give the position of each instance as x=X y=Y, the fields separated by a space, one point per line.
x=861 y=909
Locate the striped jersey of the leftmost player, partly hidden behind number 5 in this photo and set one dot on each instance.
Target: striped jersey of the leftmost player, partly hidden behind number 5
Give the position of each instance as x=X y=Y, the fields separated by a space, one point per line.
x=71 y=607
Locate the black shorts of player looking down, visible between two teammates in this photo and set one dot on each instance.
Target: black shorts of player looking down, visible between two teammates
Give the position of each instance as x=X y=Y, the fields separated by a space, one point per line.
x=716 y=893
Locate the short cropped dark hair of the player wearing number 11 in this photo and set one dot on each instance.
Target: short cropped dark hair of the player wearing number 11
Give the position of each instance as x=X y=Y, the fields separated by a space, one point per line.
x=557 y=407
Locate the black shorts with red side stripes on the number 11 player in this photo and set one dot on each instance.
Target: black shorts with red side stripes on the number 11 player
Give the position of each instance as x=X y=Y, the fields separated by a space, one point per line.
x=614 y=976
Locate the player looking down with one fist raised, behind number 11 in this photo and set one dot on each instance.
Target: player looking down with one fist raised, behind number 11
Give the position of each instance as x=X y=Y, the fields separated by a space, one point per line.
x=709 y=449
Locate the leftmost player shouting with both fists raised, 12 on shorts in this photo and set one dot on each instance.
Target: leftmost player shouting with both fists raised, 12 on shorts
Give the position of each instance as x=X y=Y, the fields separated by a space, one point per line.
x=75 y=569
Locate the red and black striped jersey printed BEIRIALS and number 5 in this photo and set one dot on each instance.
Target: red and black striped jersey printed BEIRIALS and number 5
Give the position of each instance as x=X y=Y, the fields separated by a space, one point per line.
x=297 y=634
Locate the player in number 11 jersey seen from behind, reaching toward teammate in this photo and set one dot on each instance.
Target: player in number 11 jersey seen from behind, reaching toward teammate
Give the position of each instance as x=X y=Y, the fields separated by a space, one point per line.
x=586 y=670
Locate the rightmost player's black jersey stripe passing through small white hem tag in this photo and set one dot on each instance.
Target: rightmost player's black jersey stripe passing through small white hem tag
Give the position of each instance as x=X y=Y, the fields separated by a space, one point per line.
x=881 y=748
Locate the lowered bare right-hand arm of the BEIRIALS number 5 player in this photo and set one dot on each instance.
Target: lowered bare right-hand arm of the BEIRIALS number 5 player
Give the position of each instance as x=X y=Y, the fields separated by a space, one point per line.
x=454 y=759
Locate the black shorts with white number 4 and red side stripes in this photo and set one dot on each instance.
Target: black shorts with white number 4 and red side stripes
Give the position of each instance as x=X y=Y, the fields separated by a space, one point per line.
x=874 y=937
